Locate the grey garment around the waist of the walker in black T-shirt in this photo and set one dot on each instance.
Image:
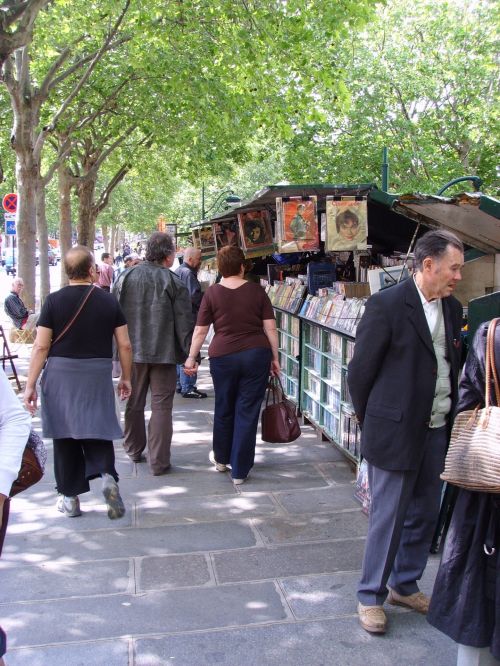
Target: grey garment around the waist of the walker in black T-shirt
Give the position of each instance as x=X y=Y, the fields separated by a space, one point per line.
x=78 y=399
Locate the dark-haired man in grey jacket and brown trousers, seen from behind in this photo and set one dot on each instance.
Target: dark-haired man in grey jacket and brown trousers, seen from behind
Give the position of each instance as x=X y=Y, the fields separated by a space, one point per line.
x=158 y=310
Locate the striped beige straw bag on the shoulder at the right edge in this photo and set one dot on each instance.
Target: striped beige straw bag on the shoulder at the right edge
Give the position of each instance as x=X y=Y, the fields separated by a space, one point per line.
x=473 y=459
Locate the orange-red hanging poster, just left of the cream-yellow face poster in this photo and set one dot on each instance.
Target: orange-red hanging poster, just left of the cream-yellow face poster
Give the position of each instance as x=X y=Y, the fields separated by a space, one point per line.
x=298 y=224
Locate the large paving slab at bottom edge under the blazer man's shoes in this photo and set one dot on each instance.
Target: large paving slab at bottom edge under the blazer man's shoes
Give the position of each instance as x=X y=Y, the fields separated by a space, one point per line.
x=339 y=642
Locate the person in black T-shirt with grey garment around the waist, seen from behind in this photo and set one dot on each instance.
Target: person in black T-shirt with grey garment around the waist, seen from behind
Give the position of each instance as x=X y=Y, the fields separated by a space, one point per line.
x=75 y=333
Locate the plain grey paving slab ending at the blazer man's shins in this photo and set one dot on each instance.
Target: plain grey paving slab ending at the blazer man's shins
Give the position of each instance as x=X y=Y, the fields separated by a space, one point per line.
x=282 y=561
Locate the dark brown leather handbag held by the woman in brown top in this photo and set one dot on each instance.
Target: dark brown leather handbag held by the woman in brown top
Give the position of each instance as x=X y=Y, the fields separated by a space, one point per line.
x=280 y=424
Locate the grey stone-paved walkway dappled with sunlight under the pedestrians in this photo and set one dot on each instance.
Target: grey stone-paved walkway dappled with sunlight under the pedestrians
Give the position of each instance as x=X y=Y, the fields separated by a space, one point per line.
x=199 y=572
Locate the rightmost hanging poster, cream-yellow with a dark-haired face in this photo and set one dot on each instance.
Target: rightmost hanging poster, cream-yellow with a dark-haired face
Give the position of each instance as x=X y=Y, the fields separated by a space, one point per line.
x=346 y=224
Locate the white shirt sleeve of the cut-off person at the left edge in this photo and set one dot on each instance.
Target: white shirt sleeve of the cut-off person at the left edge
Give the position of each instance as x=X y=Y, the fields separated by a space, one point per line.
x=15 y=425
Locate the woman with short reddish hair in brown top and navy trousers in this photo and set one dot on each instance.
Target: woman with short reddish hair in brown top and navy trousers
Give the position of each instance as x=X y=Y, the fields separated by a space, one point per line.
x=243 y=353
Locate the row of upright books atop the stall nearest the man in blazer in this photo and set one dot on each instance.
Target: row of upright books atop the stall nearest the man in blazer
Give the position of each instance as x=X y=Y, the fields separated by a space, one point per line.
x=334 y=311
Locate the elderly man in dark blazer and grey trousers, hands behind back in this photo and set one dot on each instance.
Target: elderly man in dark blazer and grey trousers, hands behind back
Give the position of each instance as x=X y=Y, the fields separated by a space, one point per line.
x=403 y=381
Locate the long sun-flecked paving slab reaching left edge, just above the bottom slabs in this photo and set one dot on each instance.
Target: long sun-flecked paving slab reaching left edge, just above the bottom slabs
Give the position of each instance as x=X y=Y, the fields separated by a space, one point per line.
x=87 y=618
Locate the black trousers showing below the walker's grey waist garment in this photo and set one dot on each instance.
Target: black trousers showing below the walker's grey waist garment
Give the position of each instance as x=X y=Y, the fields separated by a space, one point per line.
x=77 y=461
